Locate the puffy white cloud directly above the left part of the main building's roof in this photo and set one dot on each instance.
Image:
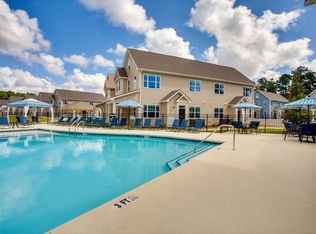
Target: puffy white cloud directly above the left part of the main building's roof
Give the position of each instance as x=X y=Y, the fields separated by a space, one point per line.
x=166 y=41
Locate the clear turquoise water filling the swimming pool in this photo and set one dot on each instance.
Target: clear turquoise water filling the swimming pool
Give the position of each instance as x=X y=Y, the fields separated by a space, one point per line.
x=47 y=179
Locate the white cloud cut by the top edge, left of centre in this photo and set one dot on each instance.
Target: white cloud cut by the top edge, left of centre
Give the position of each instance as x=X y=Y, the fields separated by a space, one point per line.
x=123 y=12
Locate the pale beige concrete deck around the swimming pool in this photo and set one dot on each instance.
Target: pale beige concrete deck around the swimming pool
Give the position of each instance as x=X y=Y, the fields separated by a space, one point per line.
x=266 y=185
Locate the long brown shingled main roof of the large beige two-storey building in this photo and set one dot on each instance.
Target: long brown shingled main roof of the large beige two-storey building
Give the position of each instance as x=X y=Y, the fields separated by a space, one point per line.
x=175 y=65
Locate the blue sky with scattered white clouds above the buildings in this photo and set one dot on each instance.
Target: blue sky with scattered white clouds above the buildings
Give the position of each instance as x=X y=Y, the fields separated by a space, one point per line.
x=73 y=44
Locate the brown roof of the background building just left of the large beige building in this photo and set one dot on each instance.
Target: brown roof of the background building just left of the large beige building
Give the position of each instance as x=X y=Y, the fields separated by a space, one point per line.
x=79 y=95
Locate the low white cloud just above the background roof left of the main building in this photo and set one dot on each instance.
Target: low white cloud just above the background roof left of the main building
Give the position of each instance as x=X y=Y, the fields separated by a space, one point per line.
x=82 y=81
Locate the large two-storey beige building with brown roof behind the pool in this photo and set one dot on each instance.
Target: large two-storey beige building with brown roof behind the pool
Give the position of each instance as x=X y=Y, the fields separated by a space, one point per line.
x=172 y=86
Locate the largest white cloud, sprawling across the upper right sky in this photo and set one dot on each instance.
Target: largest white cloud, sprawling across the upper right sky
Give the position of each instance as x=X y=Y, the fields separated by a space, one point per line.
x=246 y=41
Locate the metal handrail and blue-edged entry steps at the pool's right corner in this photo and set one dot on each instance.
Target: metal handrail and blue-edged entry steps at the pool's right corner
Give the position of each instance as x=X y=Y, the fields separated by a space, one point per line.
x=198 y=149
